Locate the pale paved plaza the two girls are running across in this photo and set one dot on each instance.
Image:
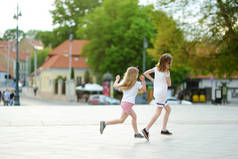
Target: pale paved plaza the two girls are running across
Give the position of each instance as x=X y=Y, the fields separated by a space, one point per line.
x=40 y=130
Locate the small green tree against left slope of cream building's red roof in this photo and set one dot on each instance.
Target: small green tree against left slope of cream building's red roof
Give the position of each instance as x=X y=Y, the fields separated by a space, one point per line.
x=41 y=56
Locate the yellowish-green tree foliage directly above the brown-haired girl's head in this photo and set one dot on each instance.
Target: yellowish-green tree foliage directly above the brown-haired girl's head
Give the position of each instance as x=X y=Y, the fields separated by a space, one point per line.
x=169 y=39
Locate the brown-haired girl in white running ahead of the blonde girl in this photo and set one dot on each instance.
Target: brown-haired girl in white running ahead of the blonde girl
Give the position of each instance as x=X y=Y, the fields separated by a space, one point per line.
x=161 y=83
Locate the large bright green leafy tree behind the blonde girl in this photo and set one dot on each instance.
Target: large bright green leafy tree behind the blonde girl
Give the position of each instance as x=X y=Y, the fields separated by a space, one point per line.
x=116 y=32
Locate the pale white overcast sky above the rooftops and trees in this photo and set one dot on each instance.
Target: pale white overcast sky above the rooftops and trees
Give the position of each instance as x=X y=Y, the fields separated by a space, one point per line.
x=35 y=14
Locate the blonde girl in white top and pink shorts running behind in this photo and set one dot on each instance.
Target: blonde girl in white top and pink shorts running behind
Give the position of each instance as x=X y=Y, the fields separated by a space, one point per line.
x=129 y=86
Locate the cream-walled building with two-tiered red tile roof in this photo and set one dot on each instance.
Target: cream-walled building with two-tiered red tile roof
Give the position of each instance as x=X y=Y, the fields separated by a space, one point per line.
x=56 y=66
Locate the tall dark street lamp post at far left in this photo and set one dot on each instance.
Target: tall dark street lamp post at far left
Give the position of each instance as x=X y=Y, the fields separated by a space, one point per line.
x=17 y=100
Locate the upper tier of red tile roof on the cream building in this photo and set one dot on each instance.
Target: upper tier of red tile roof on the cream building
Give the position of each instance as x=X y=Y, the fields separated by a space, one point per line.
x=63 y=48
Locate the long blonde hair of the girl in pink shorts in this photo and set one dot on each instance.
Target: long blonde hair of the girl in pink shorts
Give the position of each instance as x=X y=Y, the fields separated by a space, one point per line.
x=129 y=79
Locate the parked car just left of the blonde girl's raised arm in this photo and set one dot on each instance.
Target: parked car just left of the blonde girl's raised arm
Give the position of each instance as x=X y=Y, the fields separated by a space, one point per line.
x=99 y=99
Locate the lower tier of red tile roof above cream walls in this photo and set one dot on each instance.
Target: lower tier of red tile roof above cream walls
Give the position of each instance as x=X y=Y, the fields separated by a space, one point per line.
x=62 y=61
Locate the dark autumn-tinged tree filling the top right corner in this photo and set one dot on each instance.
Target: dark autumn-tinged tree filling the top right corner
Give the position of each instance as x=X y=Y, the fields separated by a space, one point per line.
x=214 y=50
